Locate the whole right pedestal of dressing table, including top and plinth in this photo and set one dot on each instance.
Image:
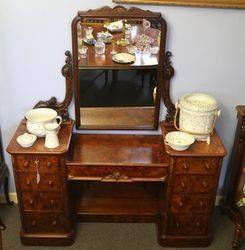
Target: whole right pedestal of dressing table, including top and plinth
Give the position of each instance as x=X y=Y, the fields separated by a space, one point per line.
x=191 y=192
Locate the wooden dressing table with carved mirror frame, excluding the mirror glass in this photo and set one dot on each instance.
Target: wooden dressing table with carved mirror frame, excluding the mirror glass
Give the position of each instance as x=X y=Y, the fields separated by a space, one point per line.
x=116 y=178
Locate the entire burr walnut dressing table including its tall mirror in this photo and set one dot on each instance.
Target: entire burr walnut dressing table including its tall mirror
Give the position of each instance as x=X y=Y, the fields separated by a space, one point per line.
x=111 y=177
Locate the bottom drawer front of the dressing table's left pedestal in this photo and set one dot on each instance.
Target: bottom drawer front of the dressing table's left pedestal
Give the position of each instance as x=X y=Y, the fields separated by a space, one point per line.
x=37 y=222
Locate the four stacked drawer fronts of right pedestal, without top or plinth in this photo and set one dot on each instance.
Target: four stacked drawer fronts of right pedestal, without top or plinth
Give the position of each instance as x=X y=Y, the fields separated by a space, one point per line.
x=193 y=189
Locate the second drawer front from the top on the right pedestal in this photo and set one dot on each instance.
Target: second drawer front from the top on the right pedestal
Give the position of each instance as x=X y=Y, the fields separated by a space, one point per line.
x=194 y=183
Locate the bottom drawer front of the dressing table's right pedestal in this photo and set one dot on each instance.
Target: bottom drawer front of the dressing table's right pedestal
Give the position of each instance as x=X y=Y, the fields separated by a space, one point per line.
x=188 y=224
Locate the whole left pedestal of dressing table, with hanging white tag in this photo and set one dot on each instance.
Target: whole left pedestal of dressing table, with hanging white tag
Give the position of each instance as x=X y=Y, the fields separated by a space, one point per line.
x=40 y=179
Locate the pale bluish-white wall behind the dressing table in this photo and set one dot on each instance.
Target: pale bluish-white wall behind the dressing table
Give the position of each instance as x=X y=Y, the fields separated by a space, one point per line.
x=208 y=48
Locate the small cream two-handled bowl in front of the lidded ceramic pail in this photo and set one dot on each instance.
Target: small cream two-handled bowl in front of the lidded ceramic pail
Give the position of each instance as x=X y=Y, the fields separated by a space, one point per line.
x=179 y=140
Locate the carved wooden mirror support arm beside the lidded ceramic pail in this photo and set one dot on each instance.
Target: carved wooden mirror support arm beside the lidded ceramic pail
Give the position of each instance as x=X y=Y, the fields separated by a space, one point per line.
x=168 y=74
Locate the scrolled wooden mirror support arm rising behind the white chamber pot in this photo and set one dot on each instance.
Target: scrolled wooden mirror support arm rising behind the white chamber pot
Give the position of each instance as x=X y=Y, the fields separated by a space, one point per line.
x=62 y=107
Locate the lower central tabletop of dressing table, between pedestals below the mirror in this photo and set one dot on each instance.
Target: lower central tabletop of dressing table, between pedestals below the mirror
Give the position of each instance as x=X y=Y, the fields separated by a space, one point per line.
x=129 y=150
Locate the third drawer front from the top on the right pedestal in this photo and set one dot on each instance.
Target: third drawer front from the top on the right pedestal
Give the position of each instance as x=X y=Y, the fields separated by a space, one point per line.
x=191 y=203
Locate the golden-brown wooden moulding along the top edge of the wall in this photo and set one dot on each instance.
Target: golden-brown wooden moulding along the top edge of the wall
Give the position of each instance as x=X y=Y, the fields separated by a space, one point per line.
x=235 y=4
